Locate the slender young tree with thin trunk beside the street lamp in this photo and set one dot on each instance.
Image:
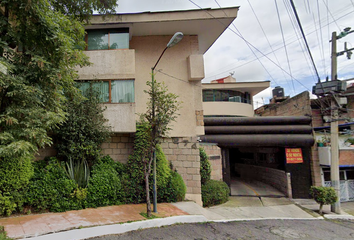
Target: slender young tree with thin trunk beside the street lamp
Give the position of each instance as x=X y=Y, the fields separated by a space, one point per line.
x=162 y=109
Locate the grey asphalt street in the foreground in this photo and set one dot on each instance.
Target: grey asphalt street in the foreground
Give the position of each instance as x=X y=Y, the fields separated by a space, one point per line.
x=262 y=229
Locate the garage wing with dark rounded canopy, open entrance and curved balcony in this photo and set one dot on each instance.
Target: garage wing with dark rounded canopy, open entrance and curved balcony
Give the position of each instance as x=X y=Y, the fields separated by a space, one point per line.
x=255 y=147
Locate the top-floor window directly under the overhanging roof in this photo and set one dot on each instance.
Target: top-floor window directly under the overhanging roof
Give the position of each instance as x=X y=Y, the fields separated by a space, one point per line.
x=104 y=39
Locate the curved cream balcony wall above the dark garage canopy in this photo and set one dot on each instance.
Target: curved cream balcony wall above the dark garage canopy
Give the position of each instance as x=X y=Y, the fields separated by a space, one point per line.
x=228 y=108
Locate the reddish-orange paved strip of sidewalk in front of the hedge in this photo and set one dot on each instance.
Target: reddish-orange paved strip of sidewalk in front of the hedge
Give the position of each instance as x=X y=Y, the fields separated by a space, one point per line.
x=38 y=224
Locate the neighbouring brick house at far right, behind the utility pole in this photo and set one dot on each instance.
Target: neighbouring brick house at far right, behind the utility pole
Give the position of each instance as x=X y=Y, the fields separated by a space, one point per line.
x=319 y=111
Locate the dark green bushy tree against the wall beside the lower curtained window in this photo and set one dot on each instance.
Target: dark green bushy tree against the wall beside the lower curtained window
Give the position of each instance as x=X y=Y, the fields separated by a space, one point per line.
x=84 y=130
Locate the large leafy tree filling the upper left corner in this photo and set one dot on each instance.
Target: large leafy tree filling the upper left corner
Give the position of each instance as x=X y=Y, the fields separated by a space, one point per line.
x=37 y=61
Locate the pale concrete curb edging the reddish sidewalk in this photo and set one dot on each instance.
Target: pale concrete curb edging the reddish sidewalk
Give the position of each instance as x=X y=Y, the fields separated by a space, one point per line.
x=90 y=232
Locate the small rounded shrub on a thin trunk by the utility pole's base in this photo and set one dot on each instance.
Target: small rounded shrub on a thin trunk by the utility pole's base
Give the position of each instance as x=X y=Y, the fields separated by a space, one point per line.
x=323 y=196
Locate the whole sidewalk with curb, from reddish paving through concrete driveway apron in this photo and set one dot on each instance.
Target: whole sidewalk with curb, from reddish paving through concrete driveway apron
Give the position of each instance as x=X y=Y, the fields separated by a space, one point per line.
x=88 y=223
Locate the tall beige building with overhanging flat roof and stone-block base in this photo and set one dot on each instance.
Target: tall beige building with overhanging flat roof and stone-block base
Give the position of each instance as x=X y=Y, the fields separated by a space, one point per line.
x=124 y=47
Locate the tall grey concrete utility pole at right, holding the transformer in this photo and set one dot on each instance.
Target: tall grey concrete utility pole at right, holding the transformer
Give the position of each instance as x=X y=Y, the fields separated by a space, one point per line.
x=335 y=182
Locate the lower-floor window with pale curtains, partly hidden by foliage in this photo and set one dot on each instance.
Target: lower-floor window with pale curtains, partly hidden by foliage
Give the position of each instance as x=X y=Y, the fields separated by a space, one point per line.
x=112 y=91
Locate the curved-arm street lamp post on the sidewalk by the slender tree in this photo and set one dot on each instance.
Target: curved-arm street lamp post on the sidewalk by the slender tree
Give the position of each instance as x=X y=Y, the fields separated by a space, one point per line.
x=176 y=38
